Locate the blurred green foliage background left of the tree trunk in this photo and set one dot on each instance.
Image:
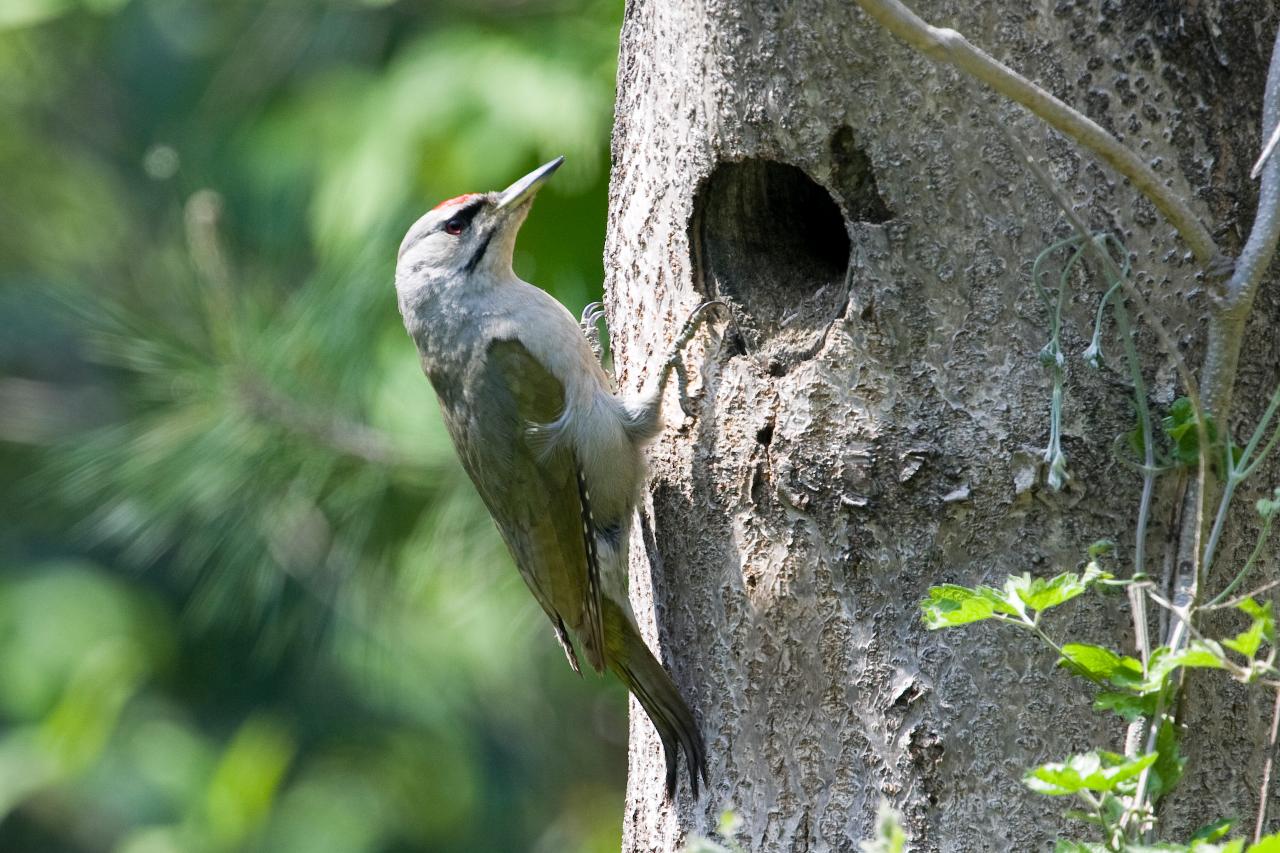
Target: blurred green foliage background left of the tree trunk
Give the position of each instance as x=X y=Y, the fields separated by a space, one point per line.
x=248 y=599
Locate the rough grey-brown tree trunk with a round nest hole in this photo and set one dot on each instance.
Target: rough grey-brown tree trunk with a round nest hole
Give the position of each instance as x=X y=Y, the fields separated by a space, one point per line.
x=885 y=428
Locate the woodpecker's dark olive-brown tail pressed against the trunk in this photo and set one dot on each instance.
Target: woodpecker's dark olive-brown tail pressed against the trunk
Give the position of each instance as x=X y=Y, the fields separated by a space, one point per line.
x=633 y=663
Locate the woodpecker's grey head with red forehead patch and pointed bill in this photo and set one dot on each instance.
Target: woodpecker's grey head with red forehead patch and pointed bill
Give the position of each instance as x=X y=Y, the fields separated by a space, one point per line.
x=468 y=236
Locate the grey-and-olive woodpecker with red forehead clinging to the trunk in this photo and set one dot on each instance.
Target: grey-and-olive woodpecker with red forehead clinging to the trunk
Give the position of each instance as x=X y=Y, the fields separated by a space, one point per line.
x=556 y=455
